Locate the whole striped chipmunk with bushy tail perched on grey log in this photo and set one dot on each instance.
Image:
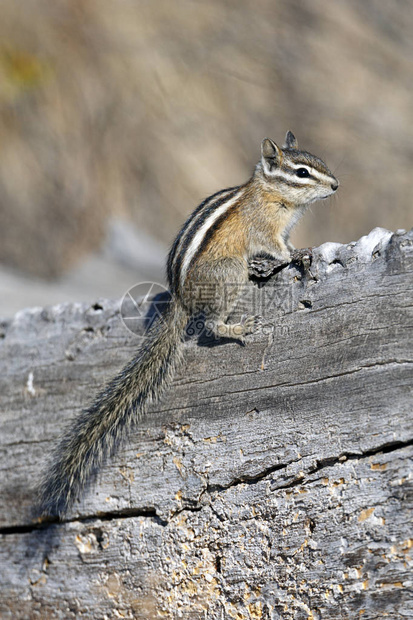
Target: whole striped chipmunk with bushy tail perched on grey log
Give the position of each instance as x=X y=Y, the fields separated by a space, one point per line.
x=214 y=247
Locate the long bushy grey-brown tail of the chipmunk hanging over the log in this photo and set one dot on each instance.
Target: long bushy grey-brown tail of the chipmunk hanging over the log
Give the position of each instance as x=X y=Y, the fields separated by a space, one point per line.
x=95 y=433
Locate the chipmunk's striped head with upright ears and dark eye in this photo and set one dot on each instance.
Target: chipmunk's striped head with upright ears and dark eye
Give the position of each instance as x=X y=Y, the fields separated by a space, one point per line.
x=299 y=176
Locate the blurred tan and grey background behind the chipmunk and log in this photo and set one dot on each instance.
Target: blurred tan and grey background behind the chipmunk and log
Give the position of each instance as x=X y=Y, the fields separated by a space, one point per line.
x=118 y=118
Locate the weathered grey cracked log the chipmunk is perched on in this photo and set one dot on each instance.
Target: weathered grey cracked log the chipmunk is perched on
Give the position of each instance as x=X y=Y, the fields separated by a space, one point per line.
x=273 y=481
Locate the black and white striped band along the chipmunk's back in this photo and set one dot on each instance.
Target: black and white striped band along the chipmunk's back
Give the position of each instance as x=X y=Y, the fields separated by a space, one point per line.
x=195 y=231
